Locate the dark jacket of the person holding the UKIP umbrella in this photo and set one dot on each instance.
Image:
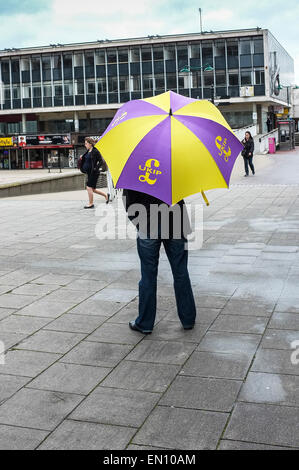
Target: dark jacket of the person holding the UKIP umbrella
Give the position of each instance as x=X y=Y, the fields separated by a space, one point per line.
x=159 y=219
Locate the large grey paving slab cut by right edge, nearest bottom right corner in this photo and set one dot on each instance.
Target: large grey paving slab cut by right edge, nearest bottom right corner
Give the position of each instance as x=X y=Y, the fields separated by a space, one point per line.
x=265 y=424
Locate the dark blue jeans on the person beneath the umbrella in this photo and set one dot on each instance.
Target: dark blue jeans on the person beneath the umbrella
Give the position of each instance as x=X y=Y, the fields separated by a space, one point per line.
x=148 y=251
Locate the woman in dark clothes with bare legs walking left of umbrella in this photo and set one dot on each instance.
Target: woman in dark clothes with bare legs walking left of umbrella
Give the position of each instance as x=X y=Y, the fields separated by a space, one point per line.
x=93 y=161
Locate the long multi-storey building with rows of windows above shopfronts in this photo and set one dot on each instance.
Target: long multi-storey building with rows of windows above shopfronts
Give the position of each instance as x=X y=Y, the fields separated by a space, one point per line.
x=75 y=89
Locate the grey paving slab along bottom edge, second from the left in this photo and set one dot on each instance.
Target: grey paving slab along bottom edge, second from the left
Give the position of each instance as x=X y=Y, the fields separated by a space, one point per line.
x=74 y=435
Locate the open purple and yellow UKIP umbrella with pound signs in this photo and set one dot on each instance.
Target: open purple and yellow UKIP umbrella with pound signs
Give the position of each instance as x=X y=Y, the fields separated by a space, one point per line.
x=170 y=147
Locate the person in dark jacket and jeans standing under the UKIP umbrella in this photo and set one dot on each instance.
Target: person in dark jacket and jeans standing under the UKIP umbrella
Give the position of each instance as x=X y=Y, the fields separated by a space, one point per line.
x=157 y=224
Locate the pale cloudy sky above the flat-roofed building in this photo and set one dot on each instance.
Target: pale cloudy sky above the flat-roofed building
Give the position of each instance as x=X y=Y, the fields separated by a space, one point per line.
x=43 y=22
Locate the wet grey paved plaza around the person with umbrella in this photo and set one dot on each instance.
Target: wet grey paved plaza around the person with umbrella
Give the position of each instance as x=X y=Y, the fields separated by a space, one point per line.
x=76 y=377
